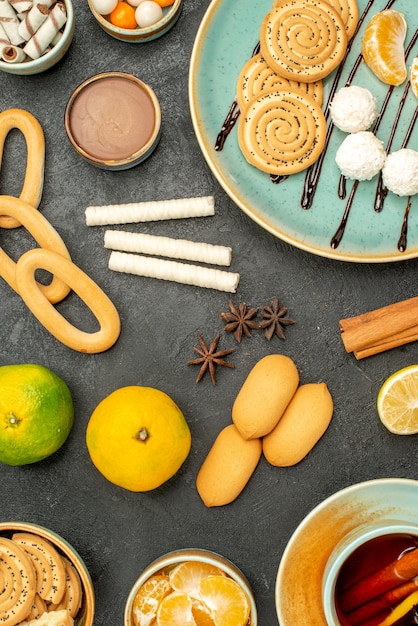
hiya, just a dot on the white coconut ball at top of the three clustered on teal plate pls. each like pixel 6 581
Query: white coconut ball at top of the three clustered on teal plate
pixel 353 109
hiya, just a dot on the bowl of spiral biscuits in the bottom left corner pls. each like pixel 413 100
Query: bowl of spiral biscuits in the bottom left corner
pixel 45 582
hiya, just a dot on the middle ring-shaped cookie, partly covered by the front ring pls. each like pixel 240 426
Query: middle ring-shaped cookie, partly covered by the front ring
pixel 44 234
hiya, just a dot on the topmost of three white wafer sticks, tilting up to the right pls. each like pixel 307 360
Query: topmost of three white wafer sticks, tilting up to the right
pixel 135 212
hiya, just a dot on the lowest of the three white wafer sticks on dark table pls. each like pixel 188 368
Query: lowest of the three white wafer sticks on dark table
pixel 174 271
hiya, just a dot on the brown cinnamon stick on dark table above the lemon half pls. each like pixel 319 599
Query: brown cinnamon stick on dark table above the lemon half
pixel 382 329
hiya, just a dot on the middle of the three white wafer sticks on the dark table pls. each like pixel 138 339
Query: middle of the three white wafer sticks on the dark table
pixel 167 246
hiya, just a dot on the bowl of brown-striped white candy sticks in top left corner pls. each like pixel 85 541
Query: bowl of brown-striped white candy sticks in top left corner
pixel 36 42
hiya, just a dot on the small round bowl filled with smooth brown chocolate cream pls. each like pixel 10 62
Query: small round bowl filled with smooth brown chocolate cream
pixel 113 120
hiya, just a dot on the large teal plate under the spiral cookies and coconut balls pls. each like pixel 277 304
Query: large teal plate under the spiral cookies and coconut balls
pixel 225 40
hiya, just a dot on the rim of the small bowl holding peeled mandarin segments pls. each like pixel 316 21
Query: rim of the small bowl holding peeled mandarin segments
pixel 191 554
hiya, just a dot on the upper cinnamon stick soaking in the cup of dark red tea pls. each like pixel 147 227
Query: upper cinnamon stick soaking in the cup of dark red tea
pixel 400 570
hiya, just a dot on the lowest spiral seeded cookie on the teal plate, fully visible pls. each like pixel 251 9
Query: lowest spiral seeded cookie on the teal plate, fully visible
pixel 282 132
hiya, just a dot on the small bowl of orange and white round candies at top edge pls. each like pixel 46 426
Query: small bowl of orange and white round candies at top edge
pixel 136 21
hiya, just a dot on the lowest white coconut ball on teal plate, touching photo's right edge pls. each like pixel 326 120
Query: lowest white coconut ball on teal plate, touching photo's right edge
pixel 400 172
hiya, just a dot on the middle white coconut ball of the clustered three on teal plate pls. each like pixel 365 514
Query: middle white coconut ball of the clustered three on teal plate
pixel 360 156
